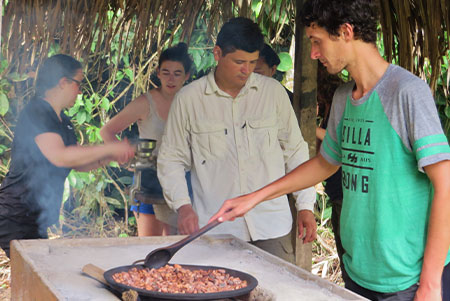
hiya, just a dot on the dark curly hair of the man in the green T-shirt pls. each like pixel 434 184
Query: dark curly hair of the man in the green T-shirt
pixel 363 15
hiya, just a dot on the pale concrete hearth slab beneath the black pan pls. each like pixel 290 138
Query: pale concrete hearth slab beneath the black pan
pixel 52 269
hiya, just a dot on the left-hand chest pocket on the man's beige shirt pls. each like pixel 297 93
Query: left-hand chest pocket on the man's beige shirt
pixel 209 139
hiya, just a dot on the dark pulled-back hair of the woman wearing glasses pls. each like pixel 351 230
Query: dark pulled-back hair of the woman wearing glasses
pixel 53 69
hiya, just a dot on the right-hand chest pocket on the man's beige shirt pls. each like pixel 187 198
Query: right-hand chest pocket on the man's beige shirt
pixel 262 135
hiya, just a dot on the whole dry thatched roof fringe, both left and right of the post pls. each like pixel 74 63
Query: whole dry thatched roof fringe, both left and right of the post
pixel 416 30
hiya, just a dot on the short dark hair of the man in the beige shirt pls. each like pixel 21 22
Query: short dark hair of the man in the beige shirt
pixel 240 34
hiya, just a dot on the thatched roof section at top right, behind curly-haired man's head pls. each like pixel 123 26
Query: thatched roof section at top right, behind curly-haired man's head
pixel 418 33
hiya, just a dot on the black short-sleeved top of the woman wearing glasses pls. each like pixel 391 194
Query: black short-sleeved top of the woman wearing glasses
pixel 33 186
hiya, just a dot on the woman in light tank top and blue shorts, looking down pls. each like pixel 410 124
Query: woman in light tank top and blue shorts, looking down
pixel 150 111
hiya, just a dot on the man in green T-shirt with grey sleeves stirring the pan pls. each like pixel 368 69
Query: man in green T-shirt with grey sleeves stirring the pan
pixel 385 132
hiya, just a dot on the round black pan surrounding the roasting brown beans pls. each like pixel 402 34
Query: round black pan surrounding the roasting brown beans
pixel 251 284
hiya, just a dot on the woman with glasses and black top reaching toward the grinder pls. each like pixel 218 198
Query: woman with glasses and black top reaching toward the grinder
pixel 44 150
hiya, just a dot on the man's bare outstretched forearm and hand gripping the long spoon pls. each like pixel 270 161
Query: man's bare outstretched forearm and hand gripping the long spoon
pixel 306 175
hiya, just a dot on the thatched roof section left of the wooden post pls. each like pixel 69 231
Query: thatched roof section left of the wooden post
pixel 30 27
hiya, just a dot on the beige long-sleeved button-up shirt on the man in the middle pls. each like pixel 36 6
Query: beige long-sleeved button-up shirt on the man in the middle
pixel 232 147
